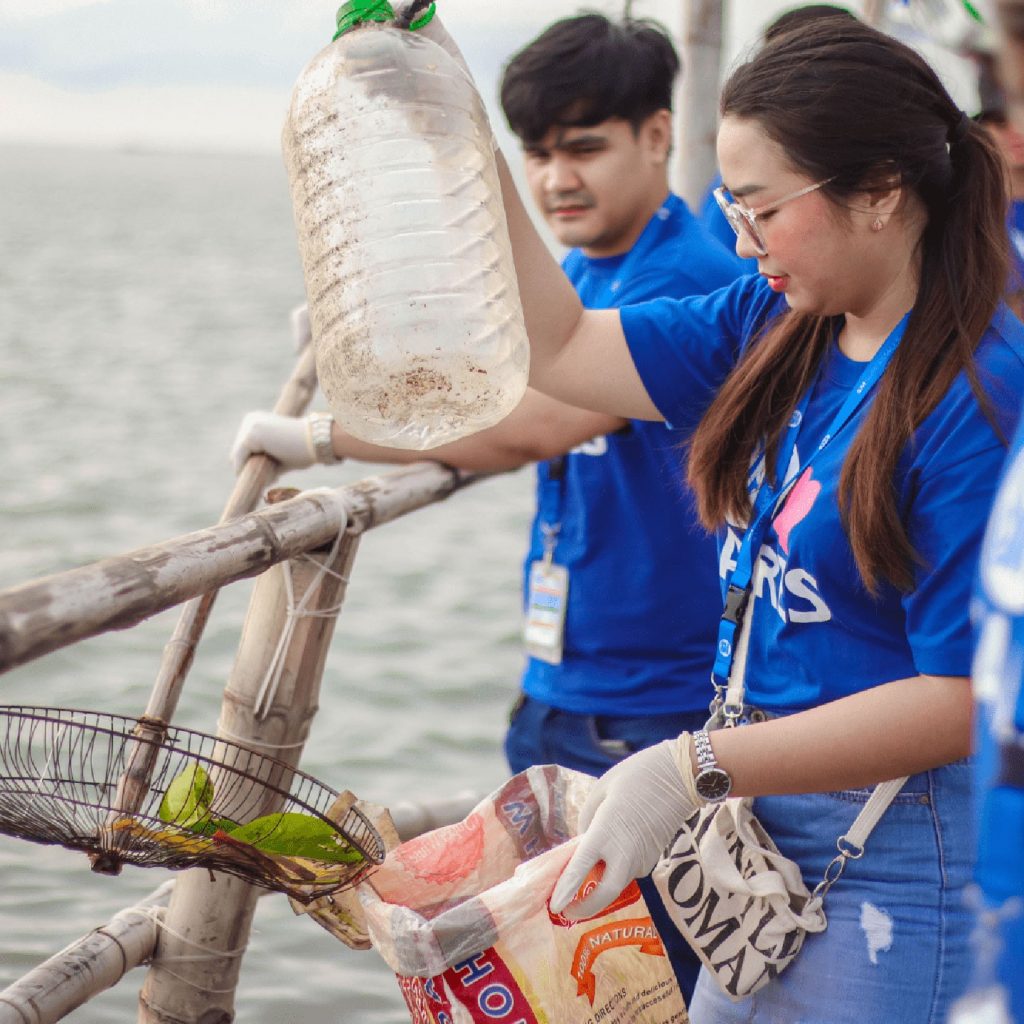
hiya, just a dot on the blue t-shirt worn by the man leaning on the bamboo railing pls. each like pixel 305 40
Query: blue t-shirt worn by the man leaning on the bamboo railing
pixel 644 600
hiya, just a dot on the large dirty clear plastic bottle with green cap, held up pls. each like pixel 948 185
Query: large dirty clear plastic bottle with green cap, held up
pixel 412 290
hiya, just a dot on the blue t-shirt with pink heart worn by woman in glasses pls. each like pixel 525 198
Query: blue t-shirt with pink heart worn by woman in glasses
pixel 817 635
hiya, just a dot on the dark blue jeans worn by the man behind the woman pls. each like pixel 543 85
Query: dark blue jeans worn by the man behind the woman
pixel 540 735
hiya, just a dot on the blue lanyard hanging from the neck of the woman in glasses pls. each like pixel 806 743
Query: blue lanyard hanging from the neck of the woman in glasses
pixel 771 499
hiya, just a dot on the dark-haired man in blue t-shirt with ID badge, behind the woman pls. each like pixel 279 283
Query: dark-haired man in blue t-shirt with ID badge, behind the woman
pixel 622 584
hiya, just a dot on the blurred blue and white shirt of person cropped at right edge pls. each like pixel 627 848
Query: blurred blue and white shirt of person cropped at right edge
pixel 999 685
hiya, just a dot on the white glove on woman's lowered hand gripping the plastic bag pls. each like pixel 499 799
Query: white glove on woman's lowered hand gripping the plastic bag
pixel 631 816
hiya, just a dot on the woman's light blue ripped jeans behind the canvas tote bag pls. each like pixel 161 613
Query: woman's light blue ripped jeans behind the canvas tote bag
pixel 897 949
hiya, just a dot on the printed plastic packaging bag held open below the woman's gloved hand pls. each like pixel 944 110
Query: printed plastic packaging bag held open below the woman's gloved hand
pixel 461 916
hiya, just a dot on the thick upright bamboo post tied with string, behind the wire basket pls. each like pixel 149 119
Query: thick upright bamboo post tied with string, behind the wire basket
pixel 199 956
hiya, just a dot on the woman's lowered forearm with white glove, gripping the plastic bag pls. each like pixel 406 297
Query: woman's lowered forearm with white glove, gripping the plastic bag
pixel 635 809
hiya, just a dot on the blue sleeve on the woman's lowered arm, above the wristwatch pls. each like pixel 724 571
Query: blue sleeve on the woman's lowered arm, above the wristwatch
pixel 958 465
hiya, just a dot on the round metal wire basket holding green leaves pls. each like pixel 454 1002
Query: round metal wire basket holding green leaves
pixel 124 792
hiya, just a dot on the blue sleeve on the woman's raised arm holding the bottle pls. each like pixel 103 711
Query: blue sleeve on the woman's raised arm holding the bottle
pixel 684 350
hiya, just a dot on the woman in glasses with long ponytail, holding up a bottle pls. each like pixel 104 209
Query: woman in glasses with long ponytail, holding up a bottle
pixel 876 211
